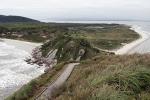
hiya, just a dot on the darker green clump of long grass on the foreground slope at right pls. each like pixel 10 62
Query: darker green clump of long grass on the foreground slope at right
pixel 130 81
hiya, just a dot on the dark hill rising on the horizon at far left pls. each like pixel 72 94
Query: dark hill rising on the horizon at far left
pixel 12 19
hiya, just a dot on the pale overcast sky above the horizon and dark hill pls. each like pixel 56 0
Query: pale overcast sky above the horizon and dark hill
pixel 77 9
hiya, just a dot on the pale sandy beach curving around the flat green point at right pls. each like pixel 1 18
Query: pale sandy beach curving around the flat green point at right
pixel 127 48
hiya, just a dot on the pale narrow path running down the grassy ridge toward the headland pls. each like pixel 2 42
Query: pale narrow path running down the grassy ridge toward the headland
pixel 47 94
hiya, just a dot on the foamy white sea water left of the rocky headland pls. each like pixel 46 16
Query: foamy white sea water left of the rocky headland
pixel 14 71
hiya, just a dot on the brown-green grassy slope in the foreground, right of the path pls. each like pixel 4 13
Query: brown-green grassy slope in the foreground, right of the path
pixel 110 78
